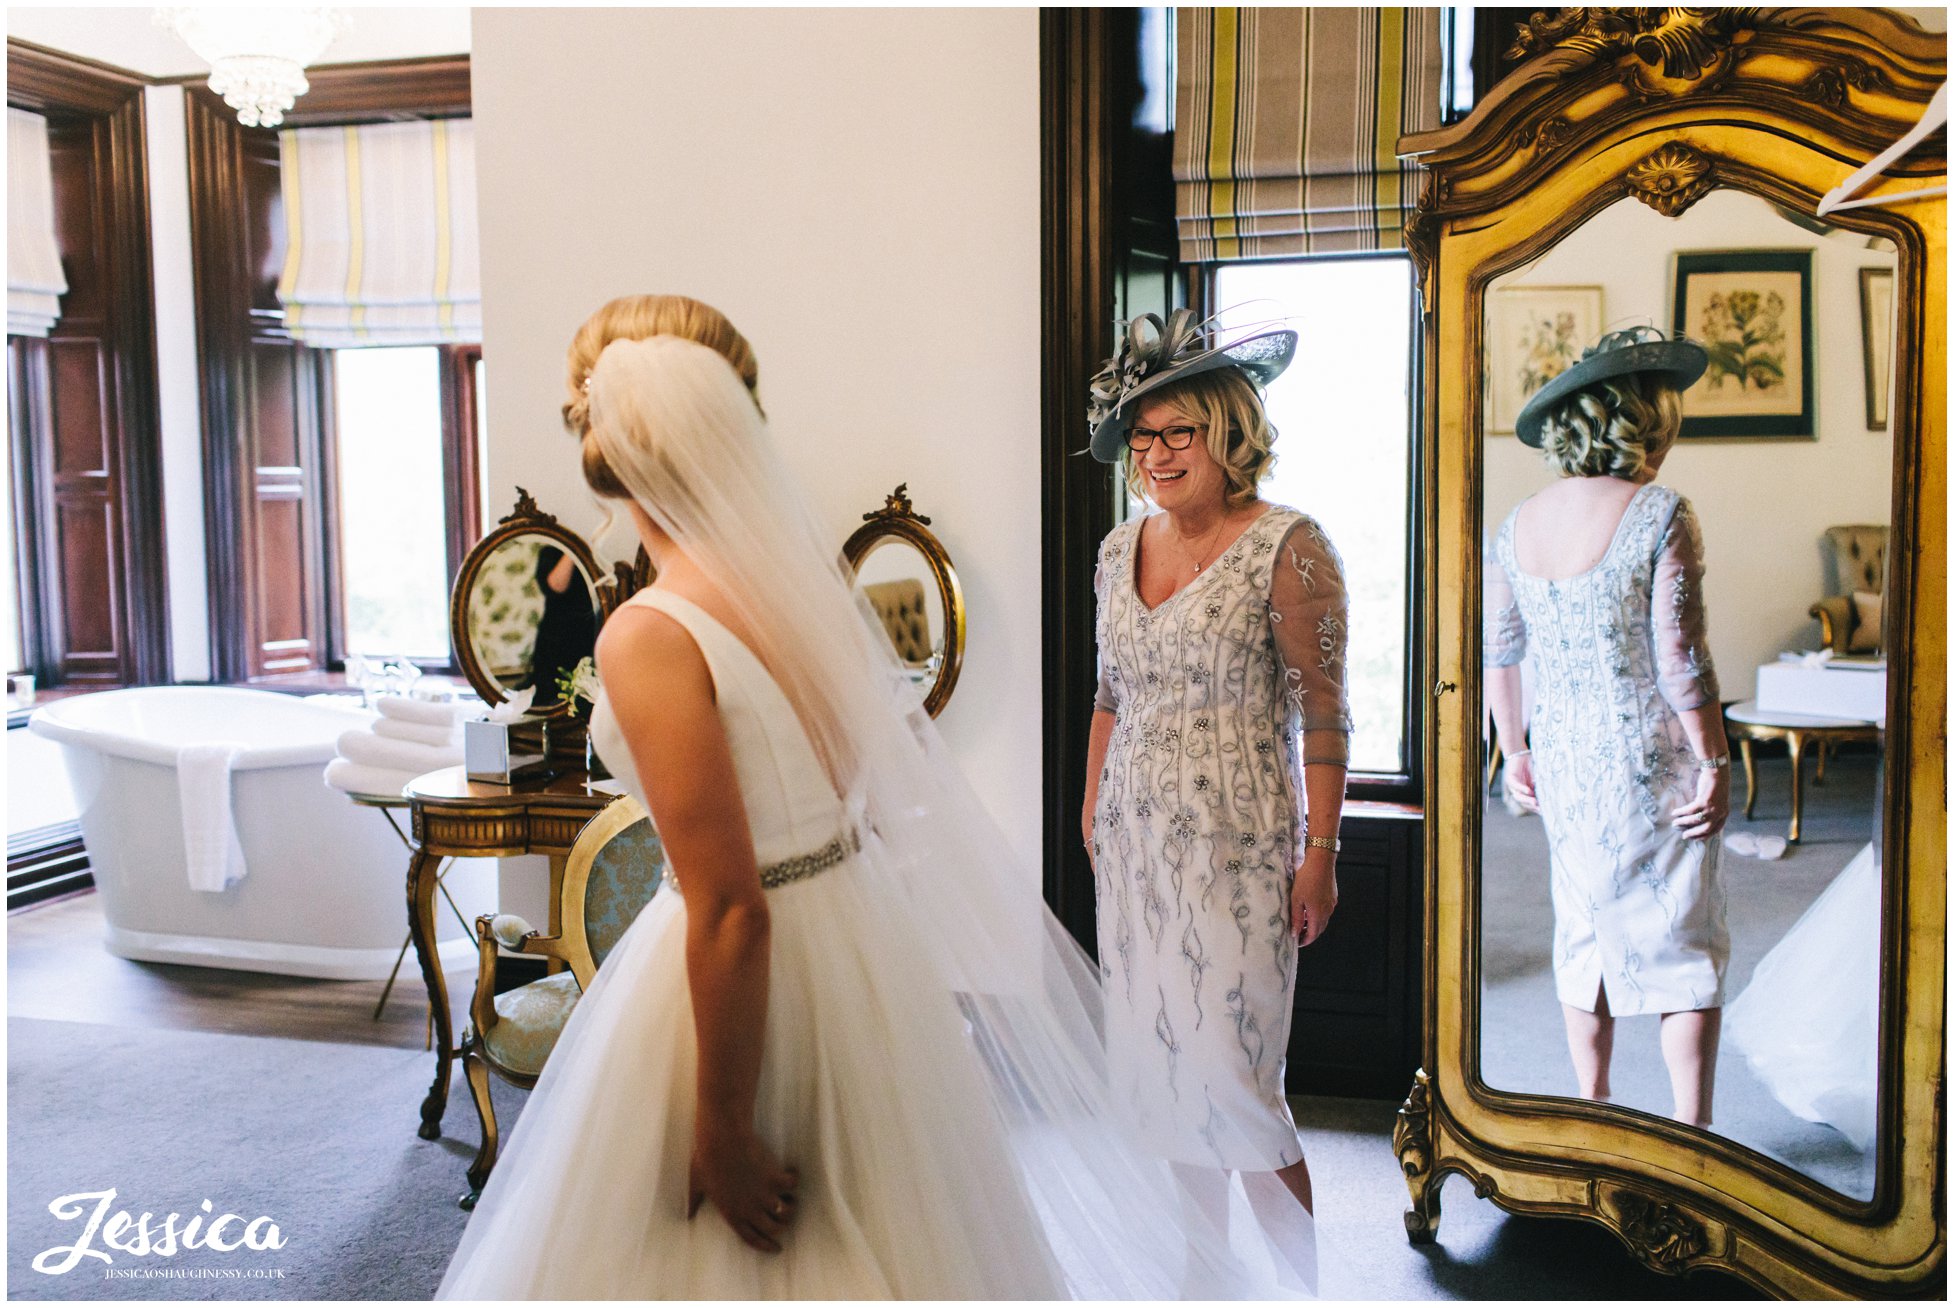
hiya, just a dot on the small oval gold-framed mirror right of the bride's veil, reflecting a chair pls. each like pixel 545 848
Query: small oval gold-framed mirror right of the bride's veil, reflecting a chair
pixel 908 578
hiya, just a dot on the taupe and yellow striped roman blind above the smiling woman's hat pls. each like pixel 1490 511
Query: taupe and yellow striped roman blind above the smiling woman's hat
pixel 1287 128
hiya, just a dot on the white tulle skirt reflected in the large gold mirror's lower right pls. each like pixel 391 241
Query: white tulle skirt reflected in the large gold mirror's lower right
pixel 1808 1024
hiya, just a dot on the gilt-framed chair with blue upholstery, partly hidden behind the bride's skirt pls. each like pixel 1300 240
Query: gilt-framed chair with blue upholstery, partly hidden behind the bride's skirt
pixel 615 869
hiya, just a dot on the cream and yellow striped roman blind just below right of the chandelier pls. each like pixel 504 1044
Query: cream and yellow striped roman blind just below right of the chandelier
pixel 382 243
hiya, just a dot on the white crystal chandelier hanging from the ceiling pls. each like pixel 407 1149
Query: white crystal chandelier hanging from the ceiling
pixel 257 54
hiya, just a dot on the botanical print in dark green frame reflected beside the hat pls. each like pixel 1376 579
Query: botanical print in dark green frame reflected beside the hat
pixel 1752 310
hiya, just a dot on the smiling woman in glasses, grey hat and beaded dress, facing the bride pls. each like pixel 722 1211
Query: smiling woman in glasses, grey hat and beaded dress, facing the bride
pixel 1222 629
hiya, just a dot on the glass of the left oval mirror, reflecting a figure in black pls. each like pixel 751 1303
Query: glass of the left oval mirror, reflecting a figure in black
pixel 532 615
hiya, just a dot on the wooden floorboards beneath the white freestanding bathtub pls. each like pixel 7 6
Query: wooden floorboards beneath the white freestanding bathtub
pixel 58 969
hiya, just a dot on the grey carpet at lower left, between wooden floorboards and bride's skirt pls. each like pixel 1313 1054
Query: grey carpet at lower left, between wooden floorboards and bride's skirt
pixel 318 1137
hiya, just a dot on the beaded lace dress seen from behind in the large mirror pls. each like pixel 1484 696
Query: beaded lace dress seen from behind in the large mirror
pixel 1619 652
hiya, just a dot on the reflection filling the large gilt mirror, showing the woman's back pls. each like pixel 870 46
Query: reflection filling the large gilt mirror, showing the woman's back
pixel 1636 631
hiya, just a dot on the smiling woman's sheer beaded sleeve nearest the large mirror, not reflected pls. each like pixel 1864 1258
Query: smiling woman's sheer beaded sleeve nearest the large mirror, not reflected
pixel 1310 611
